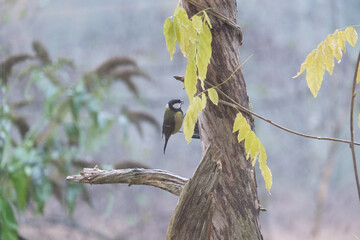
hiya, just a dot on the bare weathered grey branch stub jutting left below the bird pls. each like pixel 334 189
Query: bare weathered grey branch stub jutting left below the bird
pixel 132 176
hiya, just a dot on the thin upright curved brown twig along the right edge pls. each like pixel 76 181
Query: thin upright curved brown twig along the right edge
pixel 352 125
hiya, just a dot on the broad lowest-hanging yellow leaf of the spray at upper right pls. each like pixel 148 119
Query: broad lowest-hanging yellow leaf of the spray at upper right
pixel 315 73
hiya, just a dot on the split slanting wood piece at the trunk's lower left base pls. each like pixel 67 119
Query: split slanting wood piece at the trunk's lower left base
pixel 199 190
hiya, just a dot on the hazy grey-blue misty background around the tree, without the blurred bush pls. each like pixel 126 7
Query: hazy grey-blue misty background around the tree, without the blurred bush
pixel 279 34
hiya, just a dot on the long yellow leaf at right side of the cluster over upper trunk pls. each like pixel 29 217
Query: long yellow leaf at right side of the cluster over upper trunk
pixel 203 53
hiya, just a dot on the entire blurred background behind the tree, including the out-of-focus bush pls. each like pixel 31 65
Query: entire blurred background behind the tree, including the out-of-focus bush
pixel 86 82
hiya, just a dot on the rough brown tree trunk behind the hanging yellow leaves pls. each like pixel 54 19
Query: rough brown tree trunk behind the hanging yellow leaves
pixel 232 211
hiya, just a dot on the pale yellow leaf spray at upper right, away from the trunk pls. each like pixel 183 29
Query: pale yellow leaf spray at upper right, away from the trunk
pixel 322 58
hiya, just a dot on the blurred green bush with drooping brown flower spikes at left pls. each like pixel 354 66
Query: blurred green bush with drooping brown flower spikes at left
pixel 38 151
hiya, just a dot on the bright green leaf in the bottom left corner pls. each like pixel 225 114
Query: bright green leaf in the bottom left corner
pixel 8 223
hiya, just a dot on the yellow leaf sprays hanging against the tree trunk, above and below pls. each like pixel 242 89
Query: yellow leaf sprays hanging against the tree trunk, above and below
pixel 194 38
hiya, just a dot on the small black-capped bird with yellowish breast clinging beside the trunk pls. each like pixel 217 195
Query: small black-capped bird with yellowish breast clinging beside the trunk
pixel 173 119
